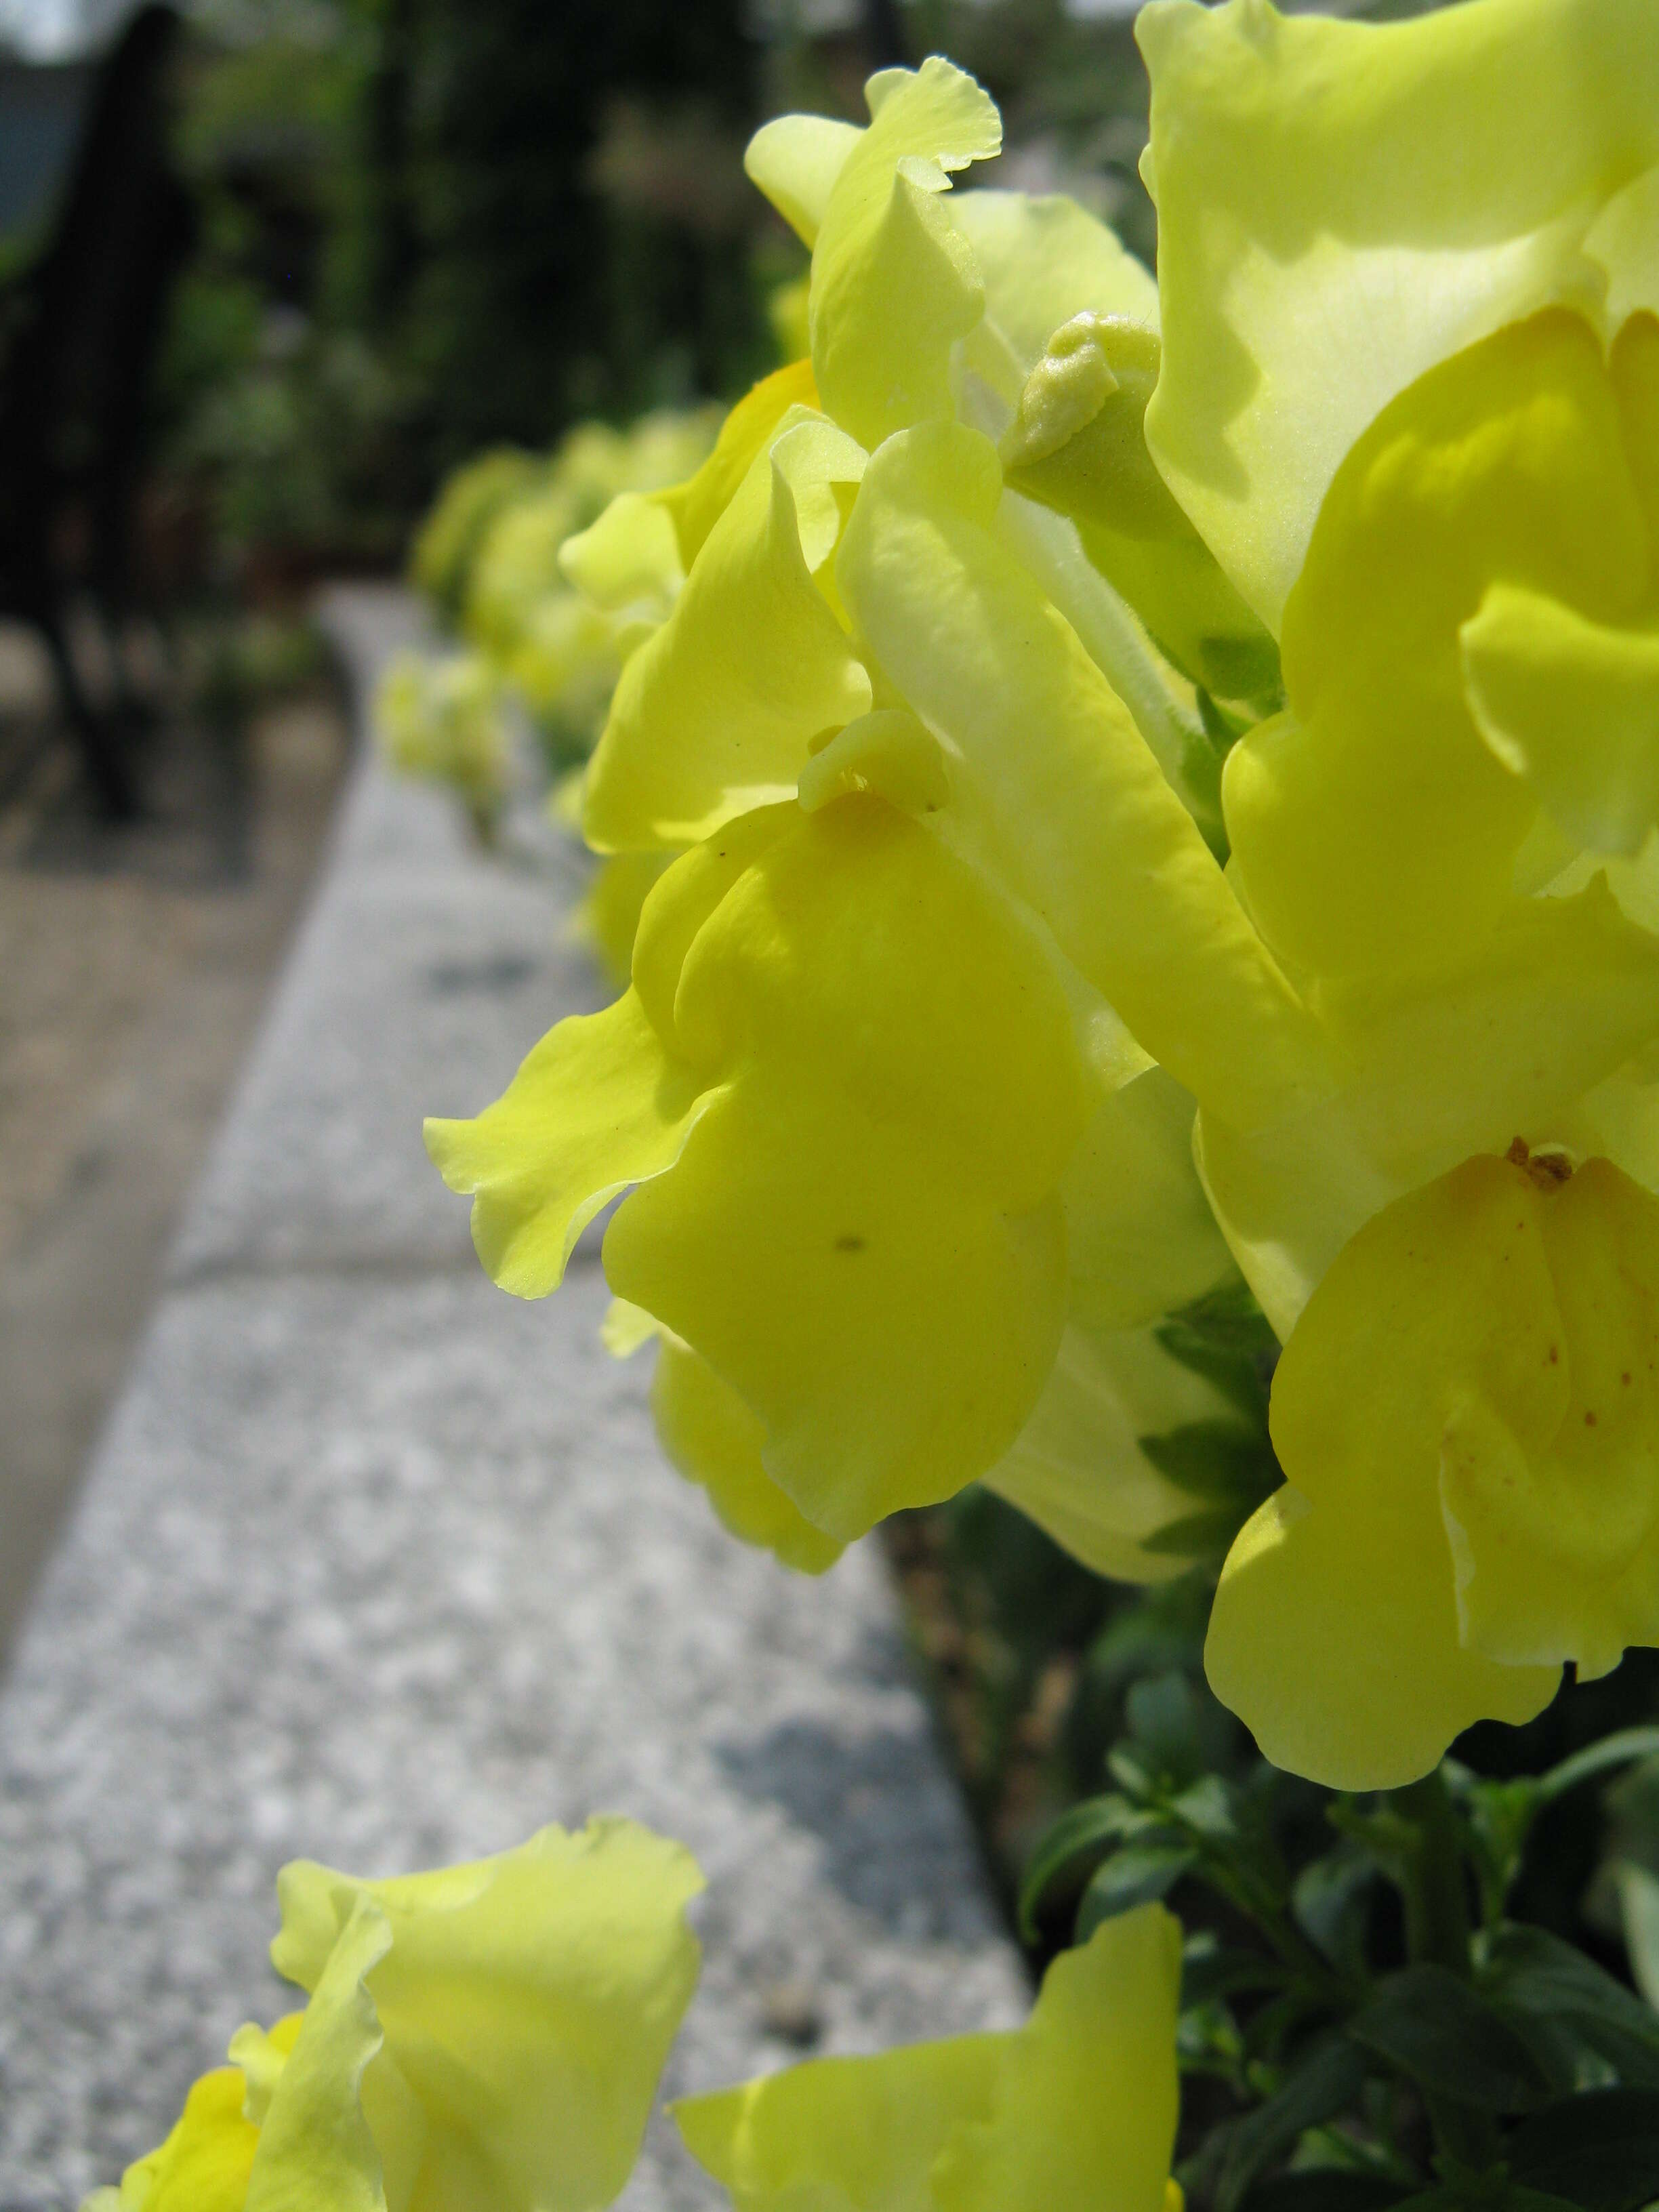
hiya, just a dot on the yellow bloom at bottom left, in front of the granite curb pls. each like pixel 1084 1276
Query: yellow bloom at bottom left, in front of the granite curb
pixel 481 2036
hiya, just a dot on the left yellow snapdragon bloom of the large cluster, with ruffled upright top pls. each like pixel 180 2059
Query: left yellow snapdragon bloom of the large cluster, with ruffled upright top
pixel 912 1200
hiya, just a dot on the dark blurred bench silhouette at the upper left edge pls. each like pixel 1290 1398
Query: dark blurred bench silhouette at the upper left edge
pixel 83 326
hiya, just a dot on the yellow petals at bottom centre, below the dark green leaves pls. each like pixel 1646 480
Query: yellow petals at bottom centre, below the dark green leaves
pixel 1072 2114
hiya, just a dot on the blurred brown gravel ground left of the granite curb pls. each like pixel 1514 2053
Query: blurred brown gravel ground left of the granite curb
pixel 134 968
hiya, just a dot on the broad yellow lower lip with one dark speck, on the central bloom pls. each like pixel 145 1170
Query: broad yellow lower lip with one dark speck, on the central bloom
pixel 864 1238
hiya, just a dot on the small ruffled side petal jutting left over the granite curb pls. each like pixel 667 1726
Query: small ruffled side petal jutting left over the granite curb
pixel 596 1107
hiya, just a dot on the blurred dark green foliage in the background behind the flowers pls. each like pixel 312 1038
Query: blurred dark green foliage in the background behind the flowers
pixel 430 227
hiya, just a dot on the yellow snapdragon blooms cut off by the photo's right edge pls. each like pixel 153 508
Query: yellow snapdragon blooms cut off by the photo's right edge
pixel 1446 510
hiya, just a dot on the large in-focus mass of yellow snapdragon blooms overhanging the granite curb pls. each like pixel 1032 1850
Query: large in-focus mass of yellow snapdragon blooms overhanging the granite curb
pixel 1162 793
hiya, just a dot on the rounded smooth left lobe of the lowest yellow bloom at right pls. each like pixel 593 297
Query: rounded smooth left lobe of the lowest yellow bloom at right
pixel 1335 1631
